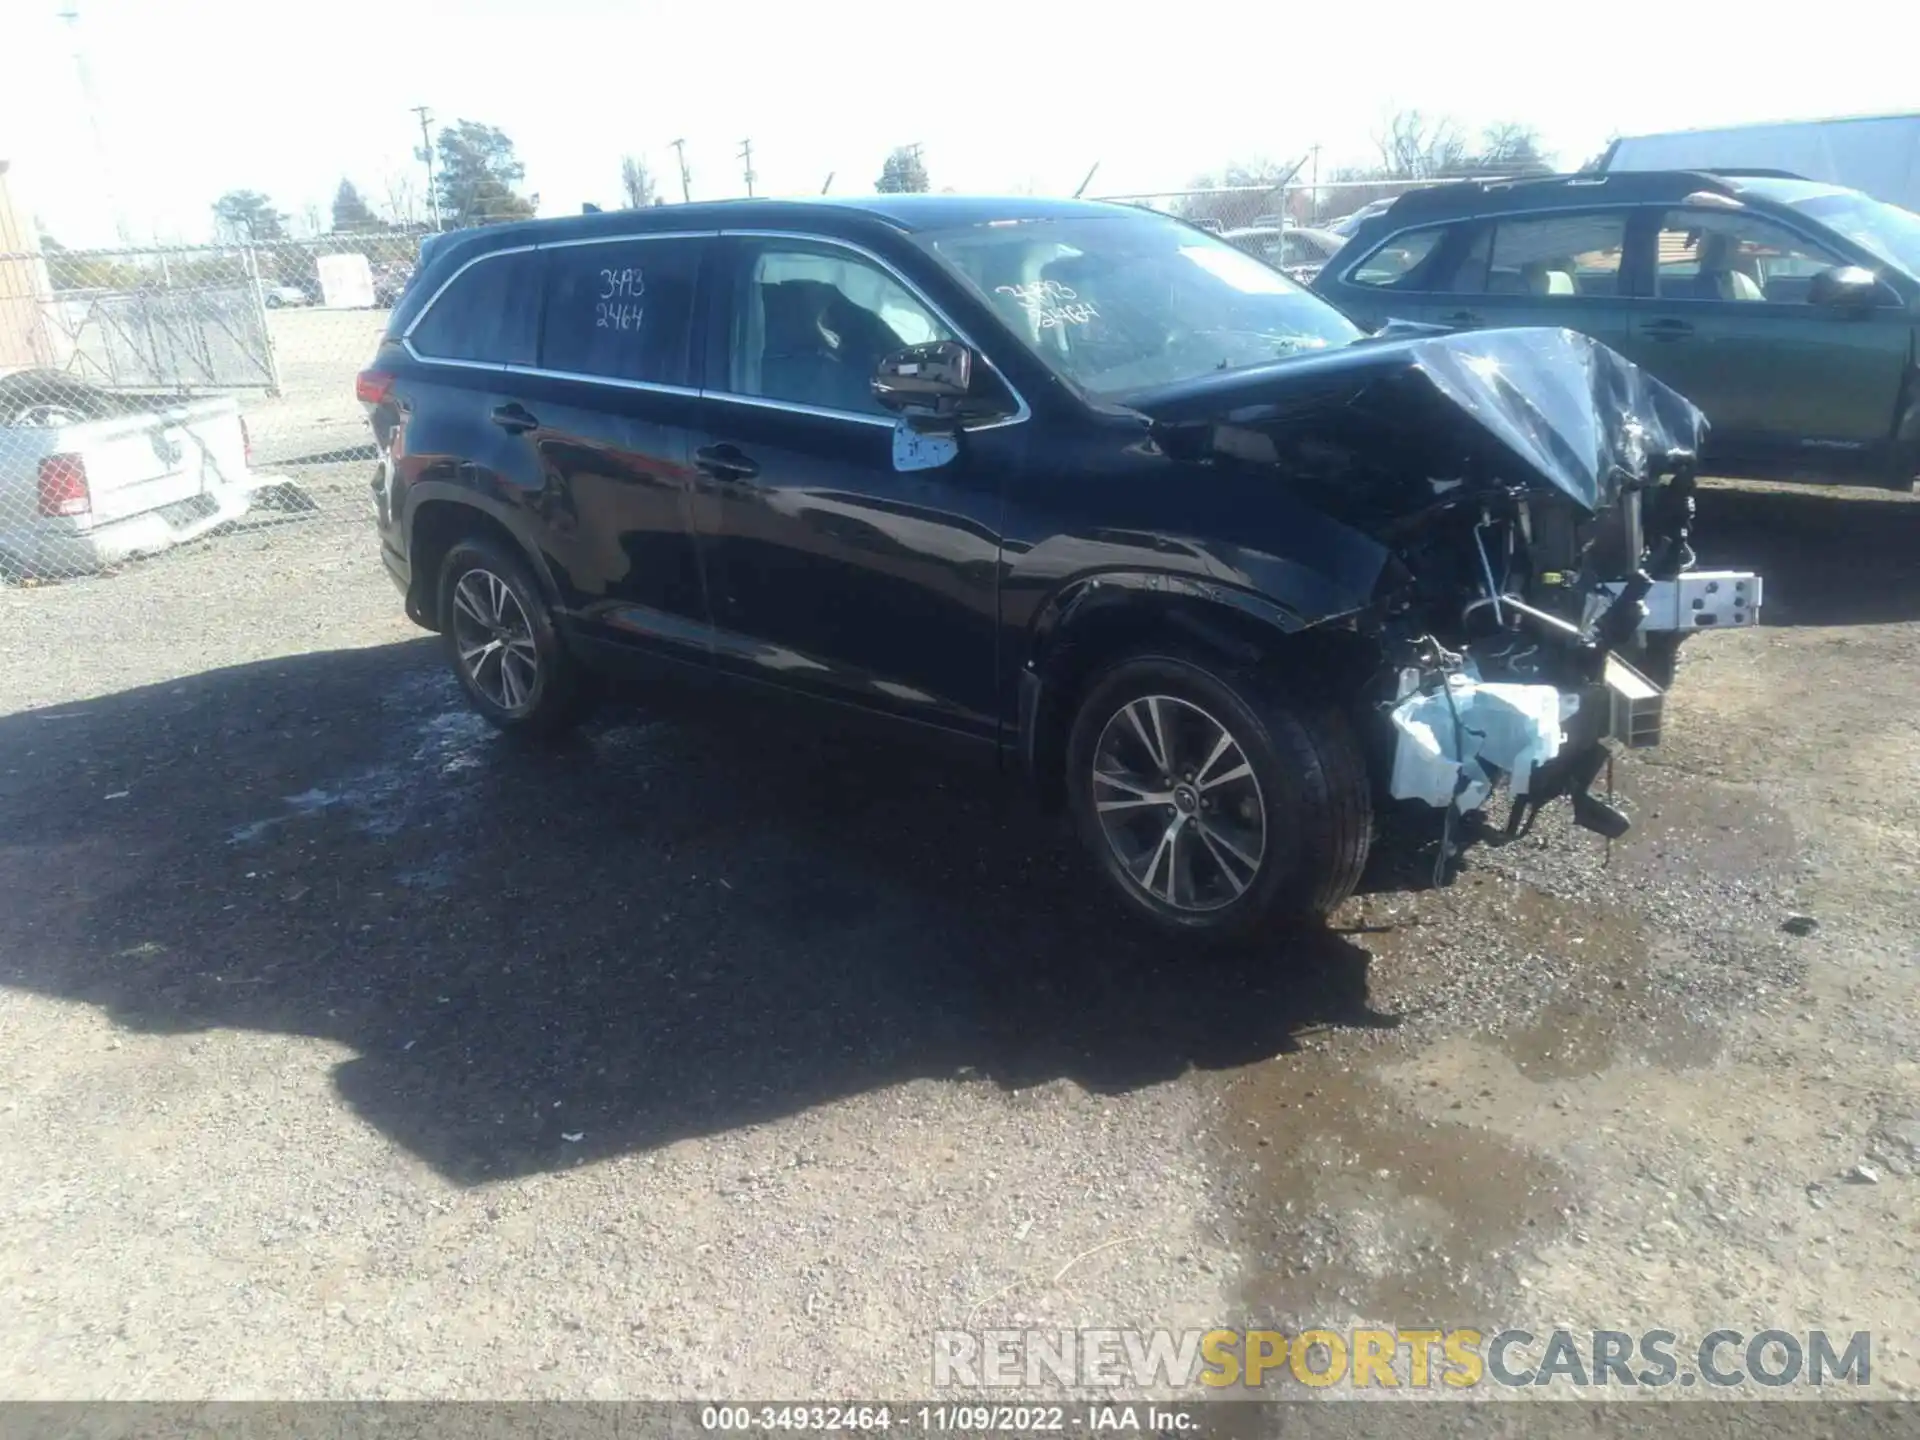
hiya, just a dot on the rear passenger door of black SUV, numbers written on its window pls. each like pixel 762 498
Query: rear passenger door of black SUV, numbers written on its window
pixel 608 414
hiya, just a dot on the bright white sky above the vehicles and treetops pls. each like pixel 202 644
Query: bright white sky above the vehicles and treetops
pixel 199 97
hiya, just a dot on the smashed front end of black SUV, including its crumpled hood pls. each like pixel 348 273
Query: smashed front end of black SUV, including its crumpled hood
pixel 1527 496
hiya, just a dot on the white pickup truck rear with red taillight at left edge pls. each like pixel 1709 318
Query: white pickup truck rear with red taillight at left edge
pixel 93 477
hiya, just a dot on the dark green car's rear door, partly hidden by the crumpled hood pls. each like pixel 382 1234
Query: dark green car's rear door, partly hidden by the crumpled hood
pixel 1558 270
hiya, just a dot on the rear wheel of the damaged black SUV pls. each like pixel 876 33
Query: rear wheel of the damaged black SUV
pixel 504 646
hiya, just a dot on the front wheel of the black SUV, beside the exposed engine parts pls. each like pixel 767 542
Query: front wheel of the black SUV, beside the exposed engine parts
pixel 1214 805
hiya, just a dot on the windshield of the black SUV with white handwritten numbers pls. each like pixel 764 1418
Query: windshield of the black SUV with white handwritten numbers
pixel 1132 300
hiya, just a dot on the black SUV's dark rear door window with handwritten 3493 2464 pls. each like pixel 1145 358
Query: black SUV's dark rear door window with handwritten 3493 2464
pixel 621 310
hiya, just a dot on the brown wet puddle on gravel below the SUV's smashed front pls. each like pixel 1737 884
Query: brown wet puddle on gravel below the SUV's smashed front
pixel 1356 1195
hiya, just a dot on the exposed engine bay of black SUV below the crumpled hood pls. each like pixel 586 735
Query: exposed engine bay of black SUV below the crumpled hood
pixel 1550 656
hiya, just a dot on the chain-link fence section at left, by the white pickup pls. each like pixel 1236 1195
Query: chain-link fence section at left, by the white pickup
pixel 158 398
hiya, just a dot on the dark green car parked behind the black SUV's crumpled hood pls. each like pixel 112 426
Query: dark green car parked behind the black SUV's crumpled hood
pixel 1787 310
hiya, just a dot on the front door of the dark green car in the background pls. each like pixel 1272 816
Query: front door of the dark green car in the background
pixel 1723 318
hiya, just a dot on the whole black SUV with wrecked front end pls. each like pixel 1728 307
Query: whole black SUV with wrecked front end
pixel 1078 483
